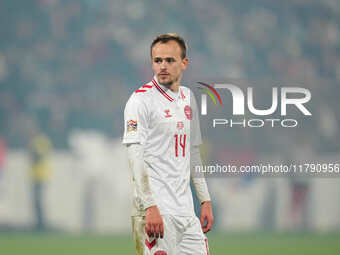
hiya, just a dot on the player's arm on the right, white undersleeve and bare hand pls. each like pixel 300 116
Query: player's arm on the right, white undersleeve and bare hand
pixel 201 188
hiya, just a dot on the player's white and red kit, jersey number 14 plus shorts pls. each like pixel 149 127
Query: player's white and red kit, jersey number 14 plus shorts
pixel 166 125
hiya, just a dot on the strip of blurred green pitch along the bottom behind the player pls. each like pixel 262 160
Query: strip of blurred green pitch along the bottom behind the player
pixel 233 244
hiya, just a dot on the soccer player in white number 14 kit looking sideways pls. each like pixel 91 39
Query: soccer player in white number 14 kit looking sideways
pixel 162 135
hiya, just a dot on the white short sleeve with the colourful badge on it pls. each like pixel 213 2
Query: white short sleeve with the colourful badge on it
pixel 135 121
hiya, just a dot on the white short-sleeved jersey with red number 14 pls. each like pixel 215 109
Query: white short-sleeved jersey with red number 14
pixel 166 124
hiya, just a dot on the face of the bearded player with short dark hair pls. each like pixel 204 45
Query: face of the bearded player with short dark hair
pixel 167 62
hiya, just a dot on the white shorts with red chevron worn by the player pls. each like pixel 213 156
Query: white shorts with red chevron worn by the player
pixel 182 235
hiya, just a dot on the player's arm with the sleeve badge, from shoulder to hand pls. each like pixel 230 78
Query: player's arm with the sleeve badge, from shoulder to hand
pixel 136 126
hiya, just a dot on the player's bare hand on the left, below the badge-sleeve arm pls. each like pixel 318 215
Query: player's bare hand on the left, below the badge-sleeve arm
pixel 154 223
